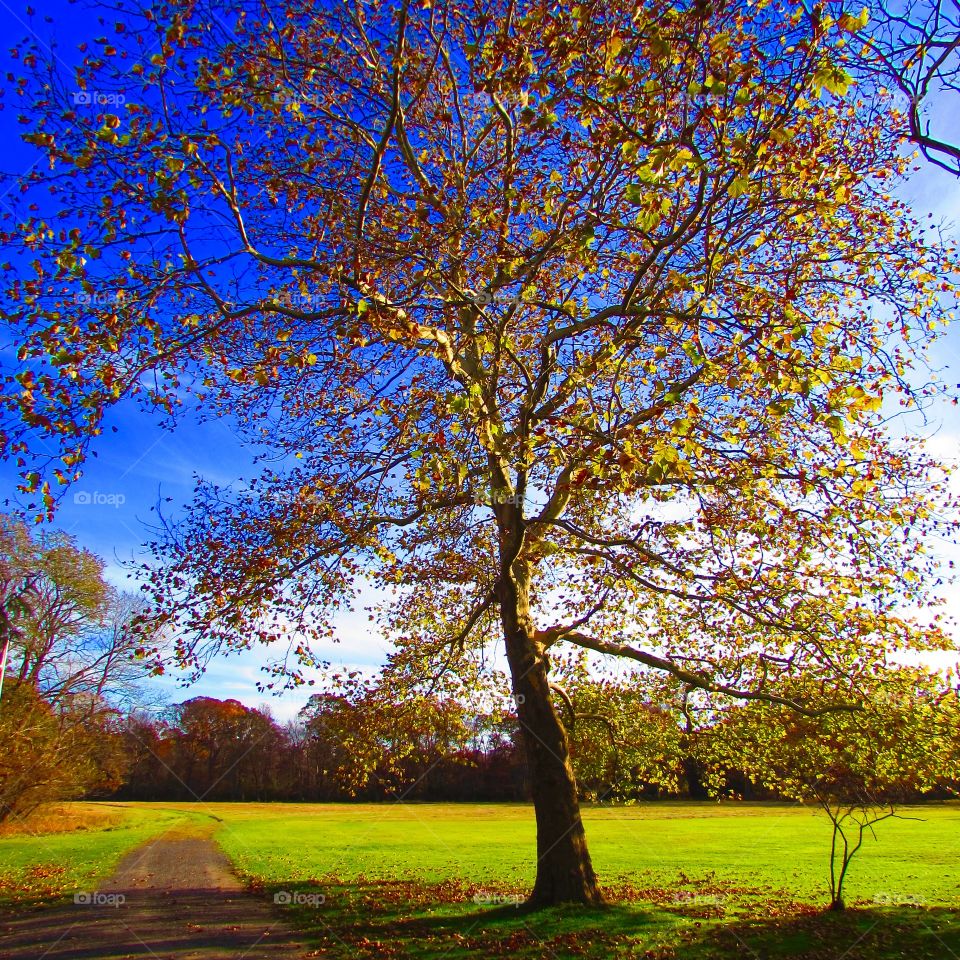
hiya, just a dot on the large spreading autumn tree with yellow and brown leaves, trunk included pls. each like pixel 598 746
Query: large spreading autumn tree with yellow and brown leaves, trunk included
pixel 569 323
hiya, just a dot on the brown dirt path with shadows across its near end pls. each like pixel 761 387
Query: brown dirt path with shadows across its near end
pixel 181 901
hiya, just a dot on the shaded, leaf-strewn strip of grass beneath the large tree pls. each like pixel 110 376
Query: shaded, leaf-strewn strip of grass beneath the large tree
pixel 371 918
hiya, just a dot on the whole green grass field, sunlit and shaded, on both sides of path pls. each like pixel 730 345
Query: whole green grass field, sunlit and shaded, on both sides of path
pixel 441 880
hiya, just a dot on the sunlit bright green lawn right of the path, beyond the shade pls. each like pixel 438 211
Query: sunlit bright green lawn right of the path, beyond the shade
pixel 780 846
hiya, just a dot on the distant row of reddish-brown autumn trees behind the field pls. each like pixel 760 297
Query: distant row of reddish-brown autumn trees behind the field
pixel 432 751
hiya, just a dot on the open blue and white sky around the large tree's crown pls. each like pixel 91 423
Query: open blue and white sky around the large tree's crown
pixel 110 510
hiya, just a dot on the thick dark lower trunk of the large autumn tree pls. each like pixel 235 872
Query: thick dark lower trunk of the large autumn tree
pixel 564 870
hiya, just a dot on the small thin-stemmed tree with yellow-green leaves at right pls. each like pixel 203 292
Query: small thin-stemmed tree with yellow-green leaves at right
pixel 857 767
